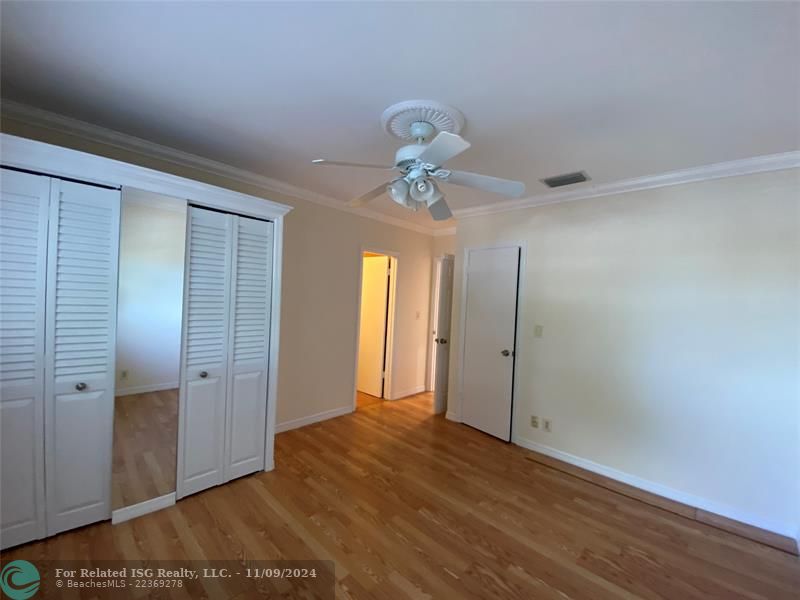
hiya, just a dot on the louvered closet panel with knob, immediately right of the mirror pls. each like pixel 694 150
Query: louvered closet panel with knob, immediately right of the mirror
pixel 204 361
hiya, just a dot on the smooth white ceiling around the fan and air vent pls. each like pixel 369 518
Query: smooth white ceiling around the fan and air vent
pixel 619 89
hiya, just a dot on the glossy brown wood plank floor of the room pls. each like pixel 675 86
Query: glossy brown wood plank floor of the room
pixel 410 505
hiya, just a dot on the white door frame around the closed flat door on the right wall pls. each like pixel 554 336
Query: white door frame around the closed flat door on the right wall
pixel 522 245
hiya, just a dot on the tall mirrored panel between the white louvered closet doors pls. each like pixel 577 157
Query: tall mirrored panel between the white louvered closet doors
pixel 148 350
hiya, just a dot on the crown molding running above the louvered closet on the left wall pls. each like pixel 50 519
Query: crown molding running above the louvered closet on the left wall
pixel 48 120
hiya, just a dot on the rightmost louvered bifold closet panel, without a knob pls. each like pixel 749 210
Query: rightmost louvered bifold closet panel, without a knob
pixel 250 306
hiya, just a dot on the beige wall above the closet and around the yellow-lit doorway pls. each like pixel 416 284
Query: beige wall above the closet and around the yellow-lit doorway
pixel 322 250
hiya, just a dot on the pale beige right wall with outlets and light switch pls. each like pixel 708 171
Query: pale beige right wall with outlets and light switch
pixel 670 346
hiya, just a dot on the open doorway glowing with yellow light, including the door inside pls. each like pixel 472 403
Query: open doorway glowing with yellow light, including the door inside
pixel 375 329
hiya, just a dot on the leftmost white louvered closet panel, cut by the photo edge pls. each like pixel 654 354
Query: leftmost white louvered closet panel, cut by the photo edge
pixel 24 207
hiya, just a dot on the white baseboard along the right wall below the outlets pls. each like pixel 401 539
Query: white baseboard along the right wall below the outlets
pixel 785 529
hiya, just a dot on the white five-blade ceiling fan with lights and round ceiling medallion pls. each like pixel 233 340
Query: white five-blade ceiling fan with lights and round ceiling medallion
pixel 420 163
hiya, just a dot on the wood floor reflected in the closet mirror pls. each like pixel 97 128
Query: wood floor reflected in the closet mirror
pixel 145 446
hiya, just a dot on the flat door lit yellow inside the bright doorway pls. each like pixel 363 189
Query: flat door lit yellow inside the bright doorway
pixel 372 331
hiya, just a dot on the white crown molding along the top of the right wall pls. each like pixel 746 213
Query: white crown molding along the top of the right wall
pixel 746 166
